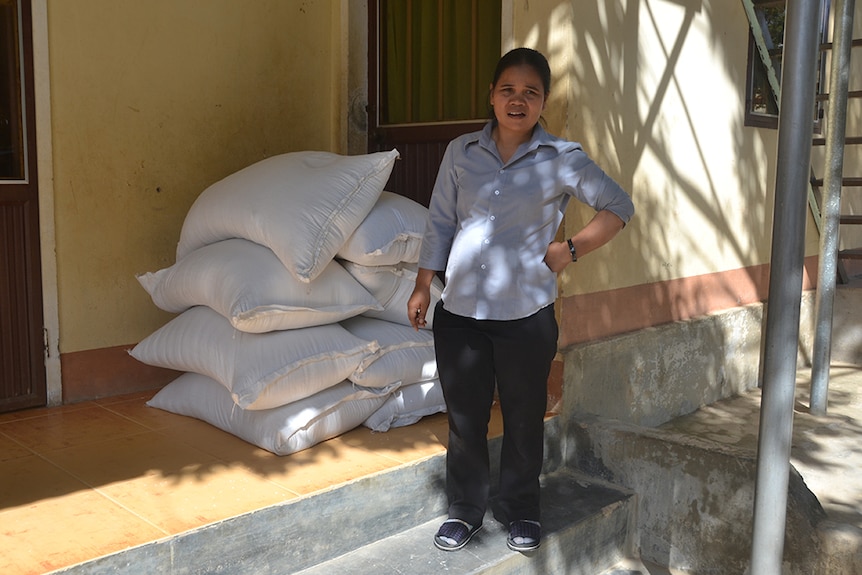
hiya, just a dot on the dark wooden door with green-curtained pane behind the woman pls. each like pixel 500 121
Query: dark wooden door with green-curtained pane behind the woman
pixel 430 65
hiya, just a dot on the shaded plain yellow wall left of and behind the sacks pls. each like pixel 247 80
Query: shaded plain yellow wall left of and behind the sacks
pixel 154 100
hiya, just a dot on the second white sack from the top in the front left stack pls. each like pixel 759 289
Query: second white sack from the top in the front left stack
pixel 246 283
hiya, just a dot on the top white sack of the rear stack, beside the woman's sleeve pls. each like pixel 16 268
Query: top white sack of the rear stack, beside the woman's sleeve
pixel 392 233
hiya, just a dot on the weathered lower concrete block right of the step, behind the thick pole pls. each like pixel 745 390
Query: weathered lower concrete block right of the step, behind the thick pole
pixel 695 497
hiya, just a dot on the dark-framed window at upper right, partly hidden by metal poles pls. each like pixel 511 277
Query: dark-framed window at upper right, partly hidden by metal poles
pixel 761 105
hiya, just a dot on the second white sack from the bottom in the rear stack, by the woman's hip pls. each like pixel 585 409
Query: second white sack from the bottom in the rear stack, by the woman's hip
pixel 405 355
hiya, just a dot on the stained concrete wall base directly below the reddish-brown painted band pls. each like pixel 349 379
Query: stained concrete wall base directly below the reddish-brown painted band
pixel 654 375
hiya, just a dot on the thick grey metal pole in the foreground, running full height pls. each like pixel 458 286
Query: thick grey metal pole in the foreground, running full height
pixel 795 123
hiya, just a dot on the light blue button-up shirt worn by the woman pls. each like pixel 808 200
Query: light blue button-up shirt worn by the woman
pixel 490 223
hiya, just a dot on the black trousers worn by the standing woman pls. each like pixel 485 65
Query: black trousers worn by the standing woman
pixel 472 357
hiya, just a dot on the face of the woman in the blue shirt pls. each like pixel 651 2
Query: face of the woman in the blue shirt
pixel 518 98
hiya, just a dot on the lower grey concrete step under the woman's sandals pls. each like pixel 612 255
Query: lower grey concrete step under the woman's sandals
pixel 586 530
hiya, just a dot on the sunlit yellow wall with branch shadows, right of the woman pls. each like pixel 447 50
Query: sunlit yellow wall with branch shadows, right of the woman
pixel 655 91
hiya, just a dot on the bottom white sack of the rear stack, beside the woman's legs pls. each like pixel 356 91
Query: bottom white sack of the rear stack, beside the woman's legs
pixel 407 405
